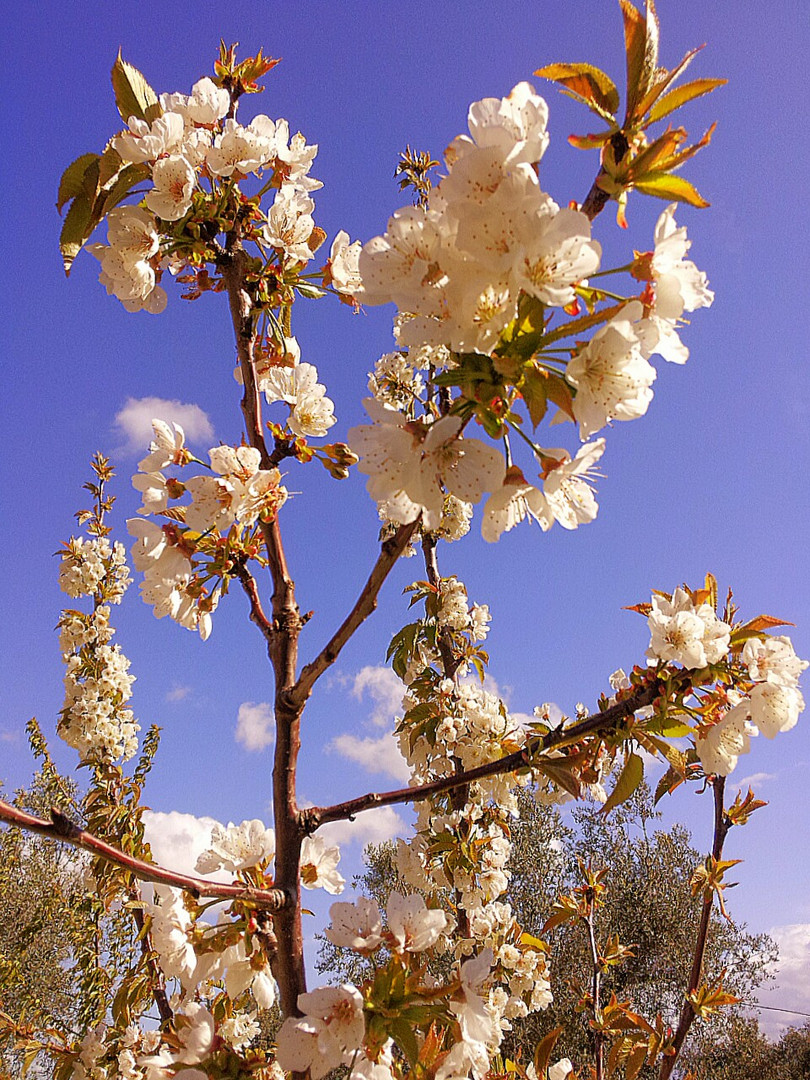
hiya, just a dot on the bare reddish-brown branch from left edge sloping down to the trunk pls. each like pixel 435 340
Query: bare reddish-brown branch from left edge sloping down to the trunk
pixel 62 829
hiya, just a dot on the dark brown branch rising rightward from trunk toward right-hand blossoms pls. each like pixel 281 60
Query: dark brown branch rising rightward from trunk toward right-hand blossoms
pixel 315 817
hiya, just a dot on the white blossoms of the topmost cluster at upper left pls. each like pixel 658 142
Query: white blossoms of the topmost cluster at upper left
pixel 196 154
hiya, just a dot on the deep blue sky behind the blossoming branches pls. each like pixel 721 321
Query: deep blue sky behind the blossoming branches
pixel 713 478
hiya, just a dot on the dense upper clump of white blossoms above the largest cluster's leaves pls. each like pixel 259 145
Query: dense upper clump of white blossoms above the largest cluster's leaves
pixel 490 234
